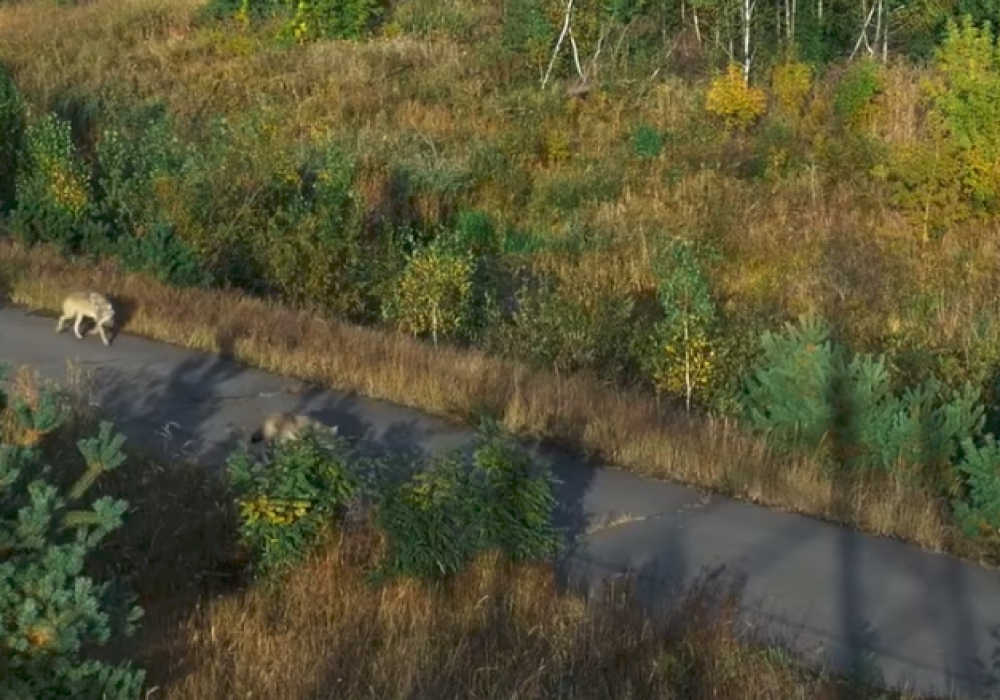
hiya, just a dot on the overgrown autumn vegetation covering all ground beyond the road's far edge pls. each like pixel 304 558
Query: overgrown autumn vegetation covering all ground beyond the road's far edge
pixel 619 222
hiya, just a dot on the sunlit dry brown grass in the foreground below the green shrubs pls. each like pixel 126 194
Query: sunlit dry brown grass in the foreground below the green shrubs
pixel 495 632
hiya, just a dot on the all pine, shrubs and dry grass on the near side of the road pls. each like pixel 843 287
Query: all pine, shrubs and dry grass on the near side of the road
pixel 399 577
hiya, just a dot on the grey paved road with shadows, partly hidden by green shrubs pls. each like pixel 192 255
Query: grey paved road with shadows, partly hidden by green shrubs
pixel 923 621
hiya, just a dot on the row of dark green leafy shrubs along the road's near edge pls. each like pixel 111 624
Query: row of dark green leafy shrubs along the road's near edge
pixel 436 513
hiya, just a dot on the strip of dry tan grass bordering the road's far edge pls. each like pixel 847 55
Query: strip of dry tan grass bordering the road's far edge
pixel 626 429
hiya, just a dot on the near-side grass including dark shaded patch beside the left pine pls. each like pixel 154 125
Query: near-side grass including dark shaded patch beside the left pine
pixel 496 631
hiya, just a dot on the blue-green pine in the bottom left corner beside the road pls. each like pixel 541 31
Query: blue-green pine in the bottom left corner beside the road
pixel 50 613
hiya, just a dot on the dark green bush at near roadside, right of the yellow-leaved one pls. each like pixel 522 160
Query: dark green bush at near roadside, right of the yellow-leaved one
pixel 461 505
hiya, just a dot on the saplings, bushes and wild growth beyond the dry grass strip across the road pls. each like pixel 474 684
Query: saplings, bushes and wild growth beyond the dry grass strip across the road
pixel 664 251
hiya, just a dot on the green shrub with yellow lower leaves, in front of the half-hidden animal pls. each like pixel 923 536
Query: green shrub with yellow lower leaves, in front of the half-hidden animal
pixel 286 505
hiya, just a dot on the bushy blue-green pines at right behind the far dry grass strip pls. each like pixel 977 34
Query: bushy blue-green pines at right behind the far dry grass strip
pixel 806 392
